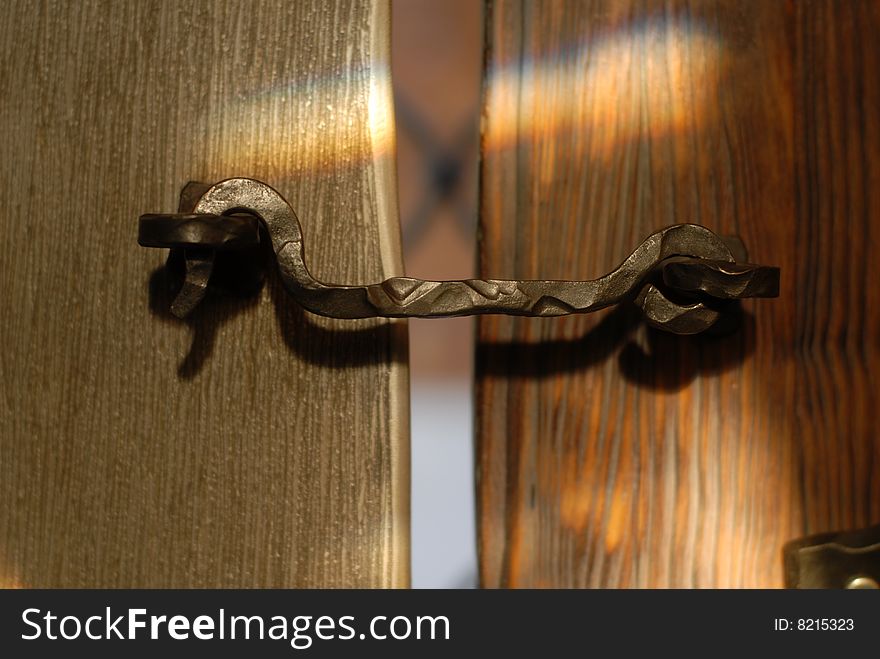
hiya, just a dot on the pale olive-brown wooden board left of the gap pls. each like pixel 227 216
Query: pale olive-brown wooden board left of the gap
pixel 257 445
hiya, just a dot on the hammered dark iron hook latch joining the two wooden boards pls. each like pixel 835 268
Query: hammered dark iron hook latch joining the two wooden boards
pixel 681 277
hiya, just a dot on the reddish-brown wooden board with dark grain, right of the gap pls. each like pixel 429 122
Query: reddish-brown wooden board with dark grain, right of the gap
pixel 611 456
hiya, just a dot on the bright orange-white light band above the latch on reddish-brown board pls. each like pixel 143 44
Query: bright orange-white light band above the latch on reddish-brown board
pixel 635 83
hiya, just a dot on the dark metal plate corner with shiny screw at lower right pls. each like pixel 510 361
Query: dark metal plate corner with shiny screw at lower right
pixel 848 559
